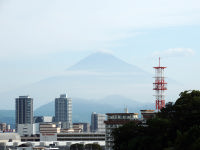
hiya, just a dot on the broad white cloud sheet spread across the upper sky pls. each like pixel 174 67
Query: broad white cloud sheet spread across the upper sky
pixel 39 27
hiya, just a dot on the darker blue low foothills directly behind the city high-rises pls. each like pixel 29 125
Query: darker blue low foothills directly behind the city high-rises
pixel 82 108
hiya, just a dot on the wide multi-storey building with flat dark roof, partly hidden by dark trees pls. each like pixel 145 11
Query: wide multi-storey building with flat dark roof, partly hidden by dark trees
pixel 115 120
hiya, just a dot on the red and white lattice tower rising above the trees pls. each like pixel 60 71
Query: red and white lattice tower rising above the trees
pixel 159 86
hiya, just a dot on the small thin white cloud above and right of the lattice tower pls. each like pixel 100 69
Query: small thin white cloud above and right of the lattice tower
pixel 174 52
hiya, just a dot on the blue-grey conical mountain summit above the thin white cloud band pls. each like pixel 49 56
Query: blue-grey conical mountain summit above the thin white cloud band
pixel 103 62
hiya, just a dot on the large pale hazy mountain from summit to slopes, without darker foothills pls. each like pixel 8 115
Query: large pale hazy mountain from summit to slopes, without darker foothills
pixel 94 77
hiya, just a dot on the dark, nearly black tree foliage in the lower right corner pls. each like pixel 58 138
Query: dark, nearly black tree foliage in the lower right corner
pixel 175 127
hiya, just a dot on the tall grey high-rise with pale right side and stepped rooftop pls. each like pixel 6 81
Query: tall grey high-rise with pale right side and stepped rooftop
pixel 63 111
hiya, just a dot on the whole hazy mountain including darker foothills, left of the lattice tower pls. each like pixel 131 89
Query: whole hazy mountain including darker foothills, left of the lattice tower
pixel 99 83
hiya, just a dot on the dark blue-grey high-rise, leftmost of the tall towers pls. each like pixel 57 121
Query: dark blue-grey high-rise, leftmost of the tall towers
pixel 23 110
